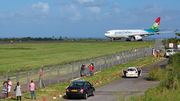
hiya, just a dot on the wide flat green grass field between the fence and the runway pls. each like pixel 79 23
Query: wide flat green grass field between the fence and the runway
pixel 15 56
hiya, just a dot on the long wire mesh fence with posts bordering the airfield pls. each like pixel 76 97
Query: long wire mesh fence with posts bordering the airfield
pixel 71 70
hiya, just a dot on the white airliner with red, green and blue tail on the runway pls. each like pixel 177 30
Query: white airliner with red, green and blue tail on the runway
pixel 136 34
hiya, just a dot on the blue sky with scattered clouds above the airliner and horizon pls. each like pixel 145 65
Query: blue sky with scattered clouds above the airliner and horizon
pixel 84 18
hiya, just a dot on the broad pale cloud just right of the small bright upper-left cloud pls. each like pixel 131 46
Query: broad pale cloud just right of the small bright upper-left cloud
pixel 70 12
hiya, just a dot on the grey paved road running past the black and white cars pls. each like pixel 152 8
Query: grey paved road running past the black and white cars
pixel 125 87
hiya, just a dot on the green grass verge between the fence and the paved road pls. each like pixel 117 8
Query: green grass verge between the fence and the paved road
pixel 57 88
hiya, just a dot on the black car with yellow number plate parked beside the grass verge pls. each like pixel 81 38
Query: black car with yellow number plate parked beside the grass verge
pixel 81 89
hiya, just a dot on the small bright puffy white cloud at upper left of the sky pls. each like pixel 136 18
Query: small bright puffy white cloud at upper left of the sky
pixel 44 7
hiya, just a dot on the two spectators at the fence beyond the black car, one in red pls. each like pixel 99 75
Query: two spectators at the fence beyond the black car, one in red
pixel 91 70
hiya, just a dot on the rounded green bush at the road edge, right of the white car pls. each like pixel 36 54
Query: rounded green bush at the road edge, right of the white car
pixel 156 73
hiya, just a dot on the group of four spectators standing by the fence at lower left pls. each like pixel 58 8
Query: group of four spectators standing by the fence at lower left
pixel 6 91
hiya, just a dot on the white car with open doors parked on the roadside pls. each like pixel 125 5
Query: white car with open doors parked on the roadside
pixel 132 72
